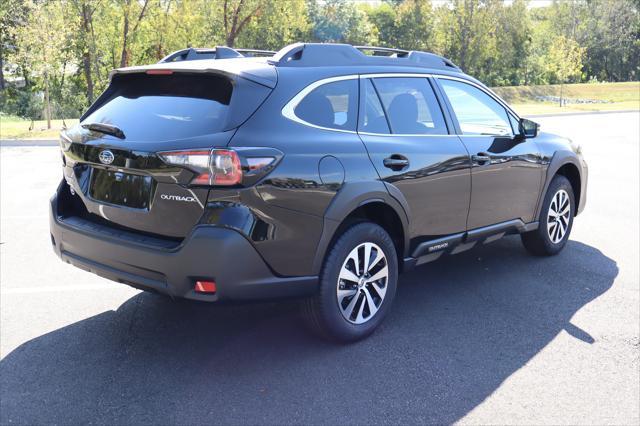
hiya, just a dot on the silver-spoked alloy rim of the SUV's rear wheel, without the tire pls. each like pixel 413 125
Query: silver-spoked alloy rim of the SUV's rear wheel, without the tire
pixel 362 283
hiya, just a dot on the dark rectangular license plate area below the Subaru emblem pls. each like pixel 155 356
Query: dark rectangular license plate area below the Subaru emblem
pixel 122 189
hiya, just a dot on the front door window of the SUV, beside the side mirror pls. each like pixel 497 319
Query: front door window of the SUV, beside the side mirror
pixel 477 112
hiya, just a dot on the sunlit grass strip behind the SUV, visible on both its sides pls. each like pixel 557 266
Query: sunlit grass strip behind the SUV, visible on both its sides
pixel 619 96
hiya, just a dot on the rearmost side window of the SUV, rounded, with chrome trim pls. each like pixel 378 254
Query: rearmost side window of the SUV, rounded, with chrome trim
pixel 331 105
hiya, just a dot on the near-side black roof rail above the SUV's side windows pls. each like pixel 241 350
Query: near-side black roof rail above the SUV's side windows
pixel 333 54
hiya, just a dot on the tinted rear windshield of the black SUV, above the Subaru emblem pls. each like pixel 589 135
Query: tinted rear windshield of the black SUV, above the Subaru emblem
pixel 177 106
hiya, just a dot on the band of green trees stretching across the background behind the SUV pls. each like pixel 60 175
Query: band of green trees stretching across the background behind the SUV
pixel 66 48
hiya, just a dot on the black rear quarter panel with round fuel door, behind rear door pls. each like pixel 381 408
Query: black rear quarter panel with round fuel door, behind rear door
pixel 296 194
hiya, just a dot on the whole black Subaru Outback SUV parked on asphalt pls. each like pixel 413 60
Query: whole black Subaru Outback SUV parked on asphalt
pixel 319 171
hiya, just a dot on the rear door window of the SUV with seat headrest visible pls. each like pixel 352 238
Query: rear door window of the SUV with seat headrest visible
pixel 411 106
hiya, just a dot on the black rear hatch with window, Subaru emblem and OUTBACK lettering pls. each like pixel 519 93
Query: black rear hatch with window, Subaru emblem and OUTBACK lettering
pixel 112 160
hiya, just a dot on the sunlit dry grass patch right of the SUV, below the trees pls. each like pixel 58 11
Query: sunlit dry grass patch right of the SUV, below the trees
pixel 619 96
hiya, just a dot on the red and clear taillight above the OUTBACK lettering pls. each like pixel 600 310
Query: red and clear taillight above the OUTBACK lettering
pixel 213 167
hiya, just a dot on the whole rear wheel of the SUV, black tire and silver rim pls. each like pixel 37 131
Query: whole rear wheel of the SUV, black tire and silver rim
pixel 332 312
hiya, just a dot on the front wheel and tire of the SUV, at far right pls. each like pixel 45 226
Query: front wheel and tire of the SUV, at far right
pixel 554 229
